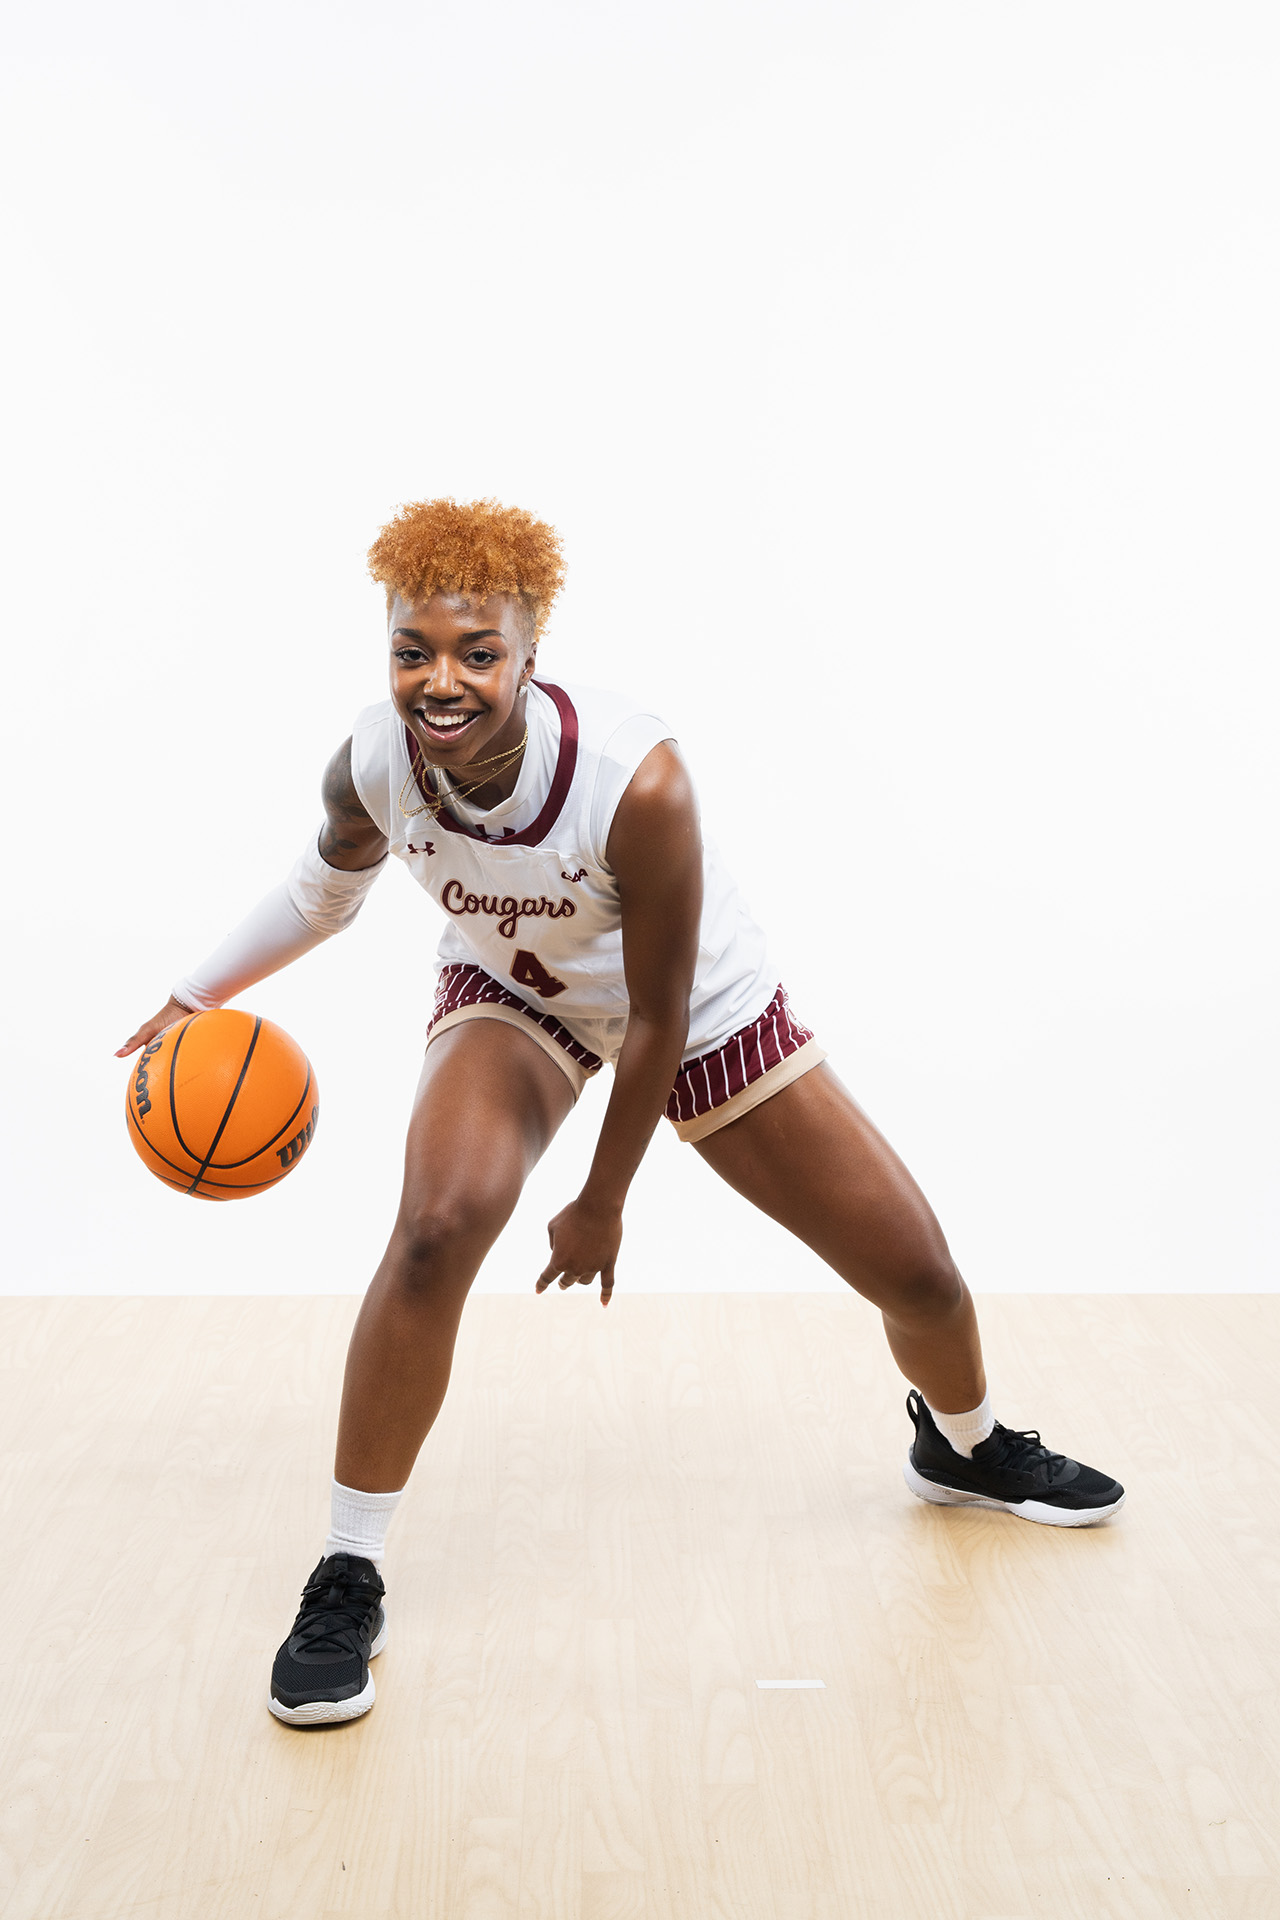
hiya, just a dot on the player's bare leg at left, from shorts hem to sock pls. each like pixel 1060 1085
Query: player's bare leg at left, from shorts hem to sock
pixel 488 1105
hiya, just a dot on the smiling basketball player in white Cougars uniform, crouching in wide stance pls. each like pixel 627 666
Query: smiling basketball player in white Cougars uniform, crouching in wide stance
pixel 584 923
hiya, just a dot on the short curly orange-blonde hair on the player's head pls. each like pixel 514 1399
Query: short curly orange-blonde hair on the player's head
pixel 471 548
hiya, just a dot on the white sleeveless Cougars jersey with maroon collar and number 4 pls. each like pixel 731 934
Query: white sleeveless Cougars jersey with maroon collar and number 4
pixel 527 890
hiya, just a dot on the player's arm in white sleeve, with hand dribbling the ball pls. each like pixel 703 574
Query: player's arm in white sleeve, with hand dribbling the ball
pixel 321 896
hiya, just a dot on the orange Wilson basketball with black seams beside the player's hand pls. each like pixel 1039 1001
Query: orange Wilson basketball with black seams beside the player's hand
pixel 224 1105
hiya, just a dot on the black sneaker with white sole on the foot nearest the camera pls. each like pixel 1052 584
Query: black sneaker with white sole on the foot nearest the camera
pixel 321 1671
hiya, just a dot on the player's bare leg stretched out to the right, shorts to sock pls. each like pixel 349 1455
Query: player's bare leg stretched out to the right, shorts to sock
pixel 815 1163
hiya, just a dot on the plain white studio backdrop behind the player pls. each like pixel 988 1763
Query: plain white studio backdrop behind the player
pixel 903 379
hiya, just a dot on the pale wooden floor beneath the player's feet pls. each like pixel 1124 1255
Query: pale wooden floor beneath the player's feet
pixel 619 1527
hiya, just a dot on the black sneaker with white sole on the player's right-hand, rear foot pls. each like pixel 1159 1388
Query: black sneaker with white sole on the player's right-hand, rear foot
pixel 1008 1470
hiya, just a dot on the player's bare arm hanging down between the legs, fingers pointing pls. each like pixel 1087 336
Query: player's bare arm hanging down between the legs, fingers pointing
pixel 655 850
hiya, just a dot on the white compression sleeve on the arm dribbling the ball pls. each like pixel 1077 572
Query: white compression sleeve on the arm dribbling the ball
pixel 316 901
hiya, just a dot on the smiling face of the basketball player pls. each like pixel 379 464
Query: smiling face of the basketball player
pixel 460 671
